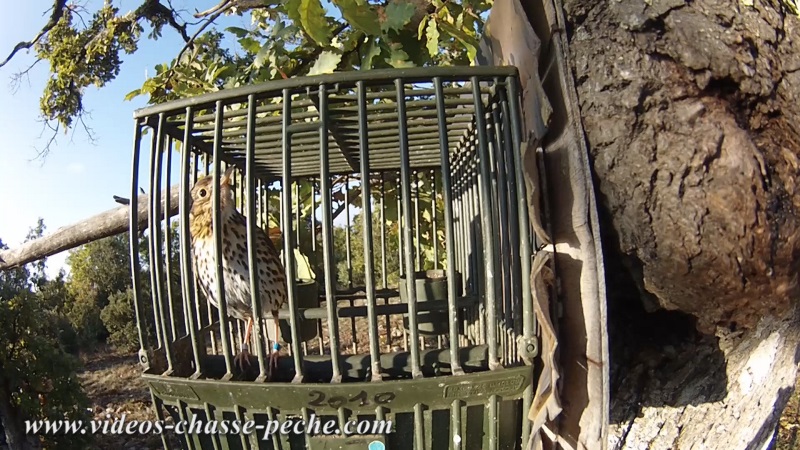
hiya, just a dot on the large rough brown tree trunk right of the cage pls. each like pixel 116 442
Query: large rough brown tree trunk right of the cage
pixel 689 110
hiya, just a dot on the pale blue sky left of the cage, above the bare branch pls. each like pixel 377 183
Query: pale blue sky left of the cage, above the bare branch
pixel 79 177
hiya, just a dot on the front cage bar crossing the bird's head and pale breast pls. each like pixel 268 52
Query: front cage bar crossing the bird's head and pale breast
pixel 216 225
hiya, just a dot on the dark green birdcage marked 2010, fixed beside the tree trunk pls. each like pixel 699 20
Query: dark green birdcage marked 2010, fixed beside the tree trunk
pixel 397 201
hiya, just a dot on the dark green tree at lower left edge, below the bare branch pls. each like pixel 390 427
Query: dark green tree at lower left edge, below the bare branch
pixel 37 380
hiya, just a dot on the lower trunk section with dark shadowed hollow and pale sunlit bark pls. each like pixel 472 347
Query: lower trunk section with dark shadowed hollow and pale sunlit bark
pixel 724 392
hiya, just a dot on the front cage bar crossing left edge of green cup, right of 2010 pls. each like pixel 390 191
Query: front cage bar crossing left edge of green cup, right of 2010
pixel 405 174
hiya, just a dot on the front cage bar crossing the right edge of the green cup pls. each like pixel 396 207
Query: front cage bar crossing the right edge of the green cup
pixel 444 155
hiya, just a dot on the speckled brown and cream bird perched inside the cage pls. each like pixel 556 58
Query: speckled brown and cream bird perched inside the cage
pixel 235 267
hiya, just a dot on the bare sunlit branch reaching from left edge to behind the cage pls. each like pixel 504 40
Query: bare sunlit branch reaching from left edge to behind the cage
pixel 105 224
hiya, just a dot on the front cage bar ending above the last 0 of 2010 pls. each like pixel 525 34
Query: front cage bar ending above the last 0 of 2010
pixel 366 214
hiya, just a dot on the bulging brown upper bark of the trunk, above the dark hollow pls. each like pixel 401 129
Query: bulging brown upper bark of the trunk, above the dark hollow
pixel 690 111
